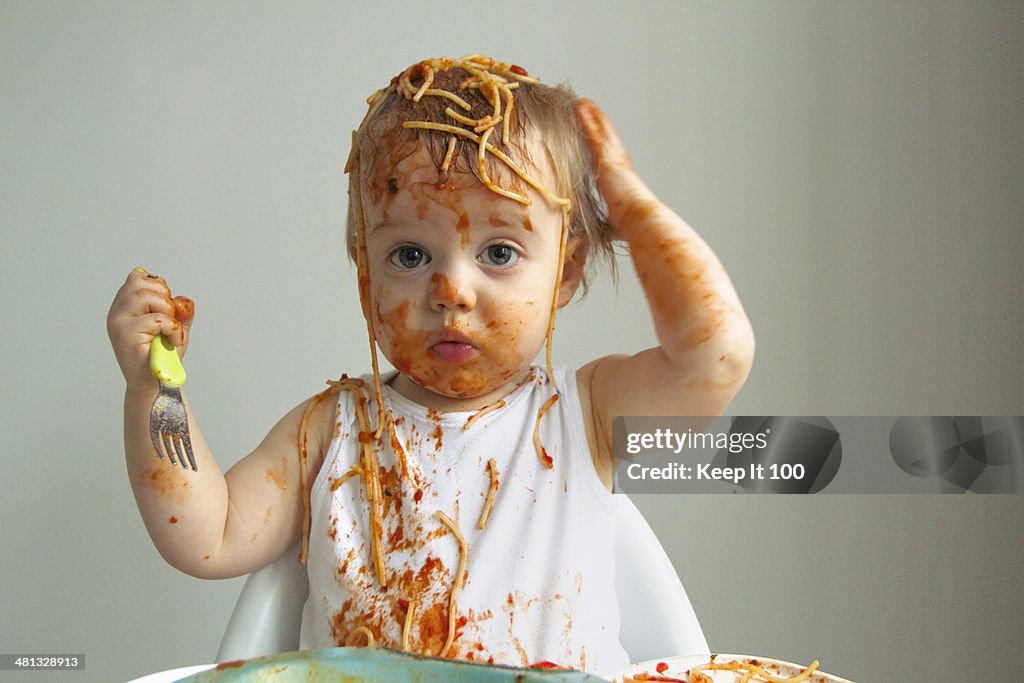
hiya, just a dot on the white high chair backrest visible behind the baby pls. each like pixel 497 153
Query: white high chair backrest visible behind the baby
pixel 658 620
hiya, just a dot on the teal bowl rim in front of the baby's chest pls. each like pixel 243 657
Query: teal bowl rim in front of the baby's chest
pixel 354 665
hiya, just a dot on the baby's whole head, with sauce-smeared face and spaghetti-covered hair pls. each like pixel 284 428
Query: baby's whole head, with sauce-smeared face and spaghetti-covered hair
pixel 474 210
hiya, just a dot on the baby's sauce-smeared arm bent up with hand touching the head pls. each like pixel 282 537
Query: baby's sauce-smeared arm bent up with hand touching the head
pixel 706 341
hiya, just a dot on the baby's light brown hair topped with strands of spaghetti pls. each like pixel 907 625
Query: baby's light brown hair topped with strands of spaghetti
pixel 440 105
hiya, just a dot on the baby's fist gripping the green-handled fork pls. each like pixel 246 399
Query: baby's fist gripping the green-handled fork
pixel 142 310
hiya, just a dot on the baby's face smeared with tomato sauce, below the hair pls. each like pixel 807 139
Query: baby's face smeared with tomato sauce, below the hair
pixel 461 279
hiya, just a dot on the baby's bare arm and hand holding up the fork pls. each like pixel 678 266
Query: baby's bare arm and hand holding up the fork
pixel 203 523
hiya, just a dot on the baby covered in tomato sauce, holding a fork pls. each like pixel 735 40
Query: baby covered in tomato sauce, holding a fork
pixel 459 506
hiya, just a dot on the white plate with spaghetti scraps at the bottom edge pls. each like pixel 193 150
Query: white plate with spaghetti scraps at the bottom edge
pixel 727 669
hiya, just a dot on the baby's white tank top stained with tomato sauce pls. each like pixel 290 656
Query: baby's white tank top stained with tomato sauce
pixel 540 583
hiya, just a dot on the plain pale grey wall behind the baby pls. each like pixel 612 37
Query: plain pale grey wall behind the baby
pixel 857 167
